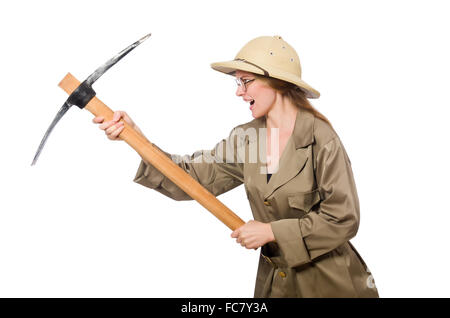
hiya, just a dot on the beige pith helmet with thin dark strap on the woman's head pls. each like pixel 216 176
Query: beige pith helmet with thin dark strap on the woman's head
pixel 270 56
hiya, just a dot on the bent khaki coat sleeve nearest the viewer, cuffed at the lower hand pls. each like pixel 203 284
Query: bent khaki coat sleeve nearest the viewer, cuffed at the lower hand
pixel 337 219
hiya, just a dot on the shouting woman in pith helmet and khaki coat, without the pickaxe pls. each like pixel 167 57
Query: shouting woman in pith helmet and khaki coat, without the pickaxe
pixel 302 191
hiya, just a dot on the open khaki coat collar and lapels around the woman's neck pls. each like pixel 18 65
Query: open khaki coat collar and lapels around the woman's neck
pixel 294 156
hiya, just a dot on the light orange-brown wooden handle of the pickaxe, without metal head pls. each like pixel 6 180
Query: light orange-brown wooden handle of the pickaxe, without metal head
pixel 159 160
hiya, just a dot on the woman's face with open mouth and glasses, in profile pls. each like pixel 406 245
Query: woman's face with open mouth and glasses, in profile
pixel 263 95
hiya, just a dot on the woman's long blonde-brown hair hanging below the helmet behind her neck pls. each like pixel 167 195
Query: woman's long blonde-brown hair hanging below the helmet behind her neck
pixel 295 94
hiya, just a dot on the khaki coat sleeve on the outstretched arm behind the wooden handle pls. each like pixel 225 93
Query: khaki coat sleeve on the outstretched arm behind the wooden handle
pixel 218 170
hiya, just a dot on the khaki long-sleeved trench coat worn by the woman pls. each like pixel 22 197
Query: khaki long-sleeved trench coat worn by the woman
pixel 311 203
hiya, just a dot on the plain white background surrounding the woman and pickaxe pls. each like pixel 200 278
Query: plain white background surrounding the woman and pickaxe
pixel 76 225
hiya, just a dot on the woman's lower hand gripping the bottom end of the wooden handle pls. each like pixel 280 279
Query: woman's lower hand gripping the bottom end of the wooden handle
pixel 253 234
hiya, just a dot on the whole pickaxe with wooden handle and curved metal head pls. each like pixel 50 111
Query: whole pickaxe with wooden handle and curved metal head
pixel 83 96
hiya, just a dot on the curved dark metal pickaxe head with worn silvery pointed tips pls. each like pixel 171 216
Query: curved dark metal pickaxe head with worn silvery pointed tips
pixel 84 93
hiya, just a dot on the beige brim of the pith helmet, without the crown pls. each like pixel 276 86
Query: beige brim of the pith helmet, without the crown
pixel 230 67
